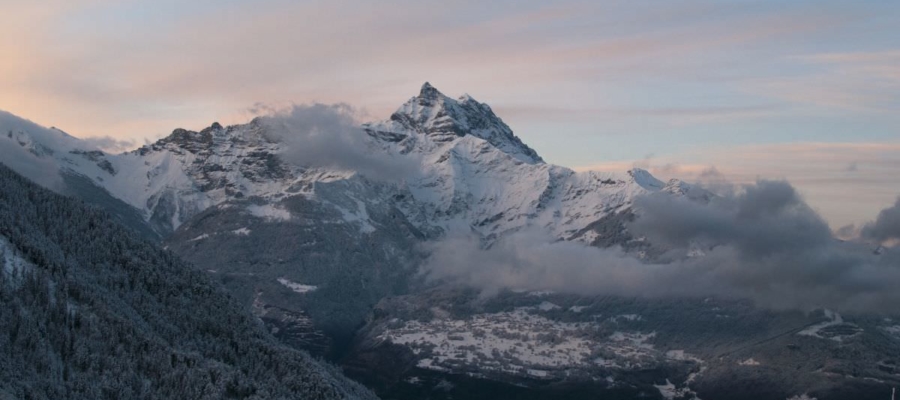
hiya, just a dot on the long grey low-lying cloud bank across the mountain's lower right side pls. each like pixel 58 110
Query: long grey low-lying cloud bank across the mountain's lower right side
pixel 761 243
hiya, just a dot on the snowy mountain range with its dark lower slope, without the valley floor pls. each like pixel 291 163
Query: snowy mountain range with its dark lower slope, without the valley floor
pixel 229 200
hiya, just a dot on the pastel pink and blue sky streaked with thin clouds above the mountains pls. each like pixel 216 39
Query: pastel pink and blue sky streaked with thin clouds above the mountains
pixel 807 91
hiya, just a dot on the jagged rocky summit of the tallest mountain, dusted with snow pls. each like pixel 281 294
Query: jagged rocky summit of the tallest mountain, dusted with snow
pixel 444 119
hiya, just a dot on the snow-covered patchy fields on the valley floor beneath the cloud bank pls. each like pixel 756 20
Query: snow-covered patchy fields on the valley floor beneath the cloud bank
pixel 519 342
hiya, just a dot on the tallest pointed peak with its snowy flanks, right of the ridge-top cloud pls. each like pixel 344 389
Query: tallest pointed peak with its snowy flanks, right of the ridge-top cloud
pixel 480 177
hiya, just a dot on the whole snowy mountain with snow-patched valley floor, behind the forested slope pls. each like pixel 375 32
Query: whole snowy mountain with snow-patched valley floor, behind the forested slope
pixel 327 256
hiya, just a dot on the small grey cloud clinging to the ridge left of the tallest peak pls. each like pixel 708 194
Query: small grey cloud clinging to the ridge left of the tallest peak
pixel 321 135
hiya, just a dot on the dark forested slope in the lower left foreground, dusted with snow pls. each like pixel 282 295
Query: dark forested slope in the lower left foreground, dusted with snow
pixel 89 310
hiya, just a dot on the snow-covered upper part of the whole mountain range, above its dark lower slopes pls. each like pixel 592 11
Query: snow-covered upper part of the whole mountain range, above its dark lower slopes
pixel 476 174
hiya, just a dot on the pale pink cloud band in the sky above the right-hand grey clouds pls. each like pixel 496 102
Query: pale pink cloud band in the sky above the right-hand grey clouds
pixel 822 171
